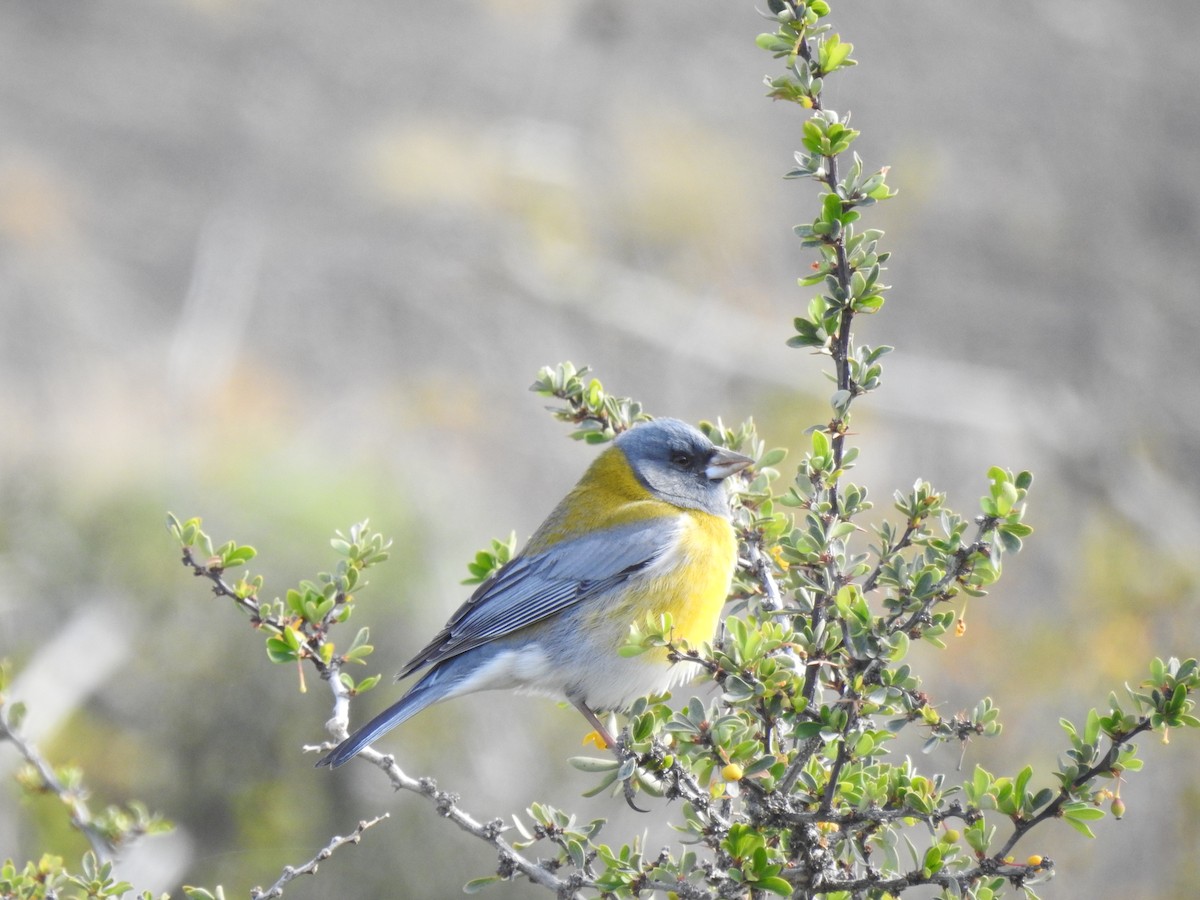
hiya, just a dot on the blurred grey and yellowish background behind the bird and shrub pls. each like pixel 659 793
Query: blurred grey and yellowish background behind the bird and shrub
pixel 290 266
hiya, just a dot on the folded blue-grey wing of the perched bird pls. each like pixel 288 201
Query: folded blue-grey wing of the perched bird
pixel 533 587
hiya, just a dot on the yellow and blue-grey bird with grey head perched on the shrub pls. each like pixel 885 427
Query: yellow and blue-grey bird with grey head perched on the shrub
pixel 646 531
